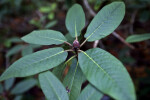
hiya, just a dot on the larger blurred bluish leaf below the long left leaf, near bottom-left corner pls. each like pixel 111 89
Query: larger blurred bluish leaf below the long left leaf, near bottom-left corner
pixel 24 86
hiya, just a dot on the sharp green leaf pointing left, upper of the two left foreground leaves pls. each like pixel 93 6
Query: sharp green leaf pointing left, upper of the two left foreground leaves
pixel 44 37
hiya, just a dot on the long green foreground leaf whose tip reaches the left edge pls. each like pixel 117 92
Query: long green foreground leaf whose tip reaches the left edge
pixel 35 63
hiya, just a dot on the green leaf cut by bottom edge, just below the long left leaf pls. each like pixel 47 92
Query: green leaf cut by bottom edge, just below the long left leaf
pixel 52 87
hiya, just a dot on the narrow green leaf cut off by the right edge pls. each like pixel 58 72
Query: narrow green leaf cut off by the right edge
pixel 138 37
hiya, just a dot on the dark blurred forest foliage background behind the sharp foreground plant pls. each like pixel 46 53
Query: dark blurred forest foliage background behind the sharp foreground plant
pixel 20 17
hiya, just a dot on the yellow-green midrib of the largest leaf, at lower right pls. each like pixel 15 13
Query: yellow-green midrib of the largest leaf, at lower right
pixel 103 71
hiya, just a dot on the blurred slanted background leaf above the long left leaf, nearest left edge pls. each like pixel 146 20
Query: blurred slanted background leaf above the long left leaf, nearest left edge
pixel 14 50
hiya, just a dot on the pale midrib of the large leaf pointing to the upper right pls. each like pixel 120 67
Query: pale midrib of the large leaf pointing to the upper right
pixel 103 22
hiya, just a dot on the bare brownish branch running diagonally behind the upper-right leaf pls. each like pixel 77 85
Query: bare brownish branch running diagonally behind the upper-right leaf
pixel 92 13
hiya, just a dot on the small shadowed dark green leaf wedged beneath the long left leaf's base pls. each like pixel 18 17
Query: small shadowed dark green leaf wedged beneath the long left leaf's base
pixel 59 71
